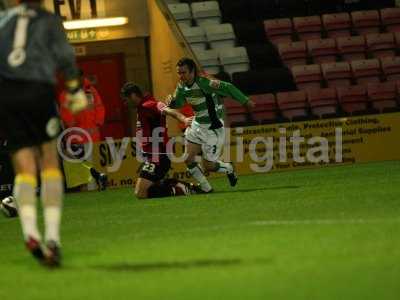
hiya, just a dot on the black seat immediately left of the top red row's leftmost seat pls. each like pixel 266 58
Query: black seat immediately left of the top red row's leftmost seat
pixel 250 32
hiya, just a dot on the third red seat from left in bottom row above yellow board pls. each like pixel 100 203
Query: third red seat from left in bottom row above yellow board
pixel 293 105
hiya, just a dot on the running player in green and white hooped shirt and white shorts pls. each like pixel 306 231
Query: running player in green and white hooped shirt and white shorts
pixel 206 134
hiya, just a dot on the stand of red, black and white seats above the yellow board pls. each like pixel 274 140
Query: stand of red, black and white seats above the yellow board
pixel 299 58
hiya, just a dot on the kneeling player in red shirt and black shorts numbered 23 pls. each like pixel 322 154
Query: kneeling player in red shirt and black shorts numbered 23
pixel 151 117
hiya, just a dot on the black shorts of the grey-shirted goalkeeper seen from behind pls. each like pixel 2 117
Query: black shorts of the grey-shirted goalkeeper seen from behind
pixel 28 114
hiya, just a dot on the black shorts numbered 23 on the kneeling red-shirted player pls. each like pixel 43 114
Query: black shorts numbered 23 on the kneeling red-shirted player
pixel 154 170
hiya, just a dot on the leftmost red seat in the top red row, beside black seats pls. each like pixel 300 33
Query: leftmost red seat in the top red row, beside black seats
pixel 279 30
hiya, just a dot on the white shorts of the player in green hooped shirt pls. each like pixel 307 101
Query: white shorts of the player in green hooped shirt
pixel 211 141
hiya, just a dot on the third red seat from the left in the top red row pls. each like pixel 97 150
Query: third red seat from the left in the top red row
pixel 337 25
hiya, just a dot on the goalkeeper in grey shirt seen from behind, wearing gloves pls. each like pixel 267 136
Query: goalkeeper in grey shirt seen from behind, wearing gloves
pixel 33 47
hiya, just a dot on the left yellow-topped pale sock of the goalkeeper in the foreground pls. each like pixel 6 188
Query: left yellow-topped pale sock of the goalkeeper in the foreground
pixel 25 195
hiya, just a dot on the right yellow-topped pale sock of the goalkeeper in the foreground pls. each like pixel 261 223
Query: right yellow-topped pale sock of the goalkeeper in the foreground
pixel 51 194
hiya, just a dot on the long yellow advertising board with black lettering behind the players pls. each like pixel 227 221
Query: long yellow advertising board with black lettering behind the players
pixel 278 147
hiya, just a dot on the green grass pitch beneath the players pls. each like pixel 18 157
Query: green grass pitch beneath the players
pixel 331 233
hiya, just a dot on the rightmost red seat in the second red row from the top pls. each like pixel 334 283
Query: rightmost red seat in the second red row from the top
pixel 381 44
